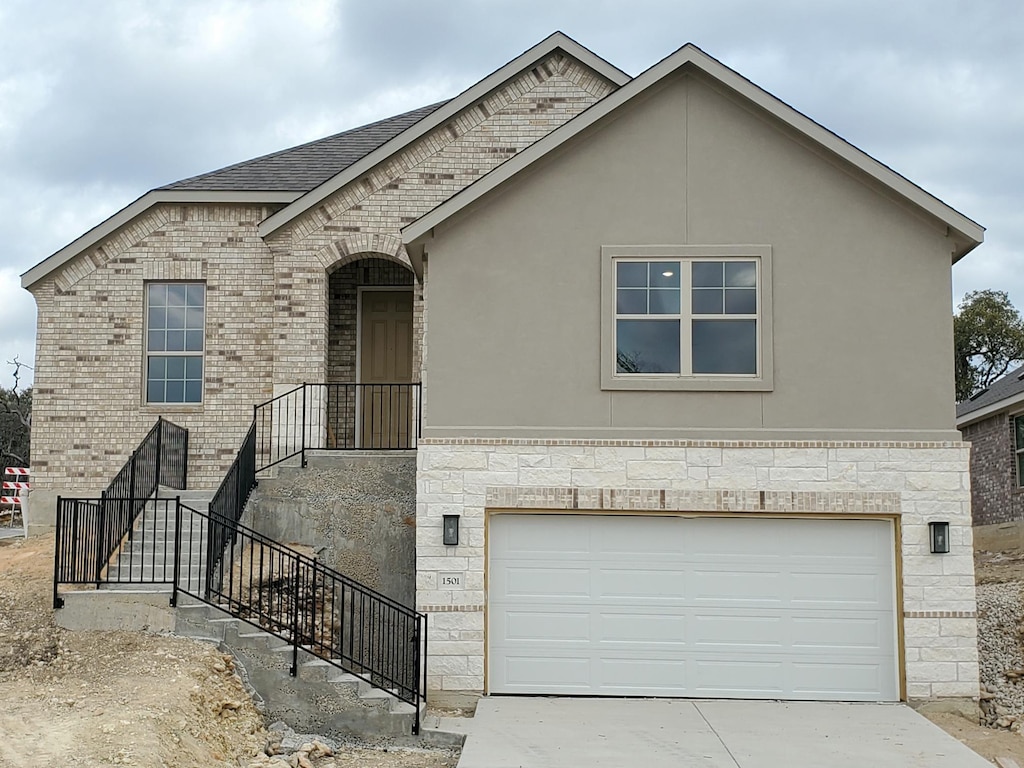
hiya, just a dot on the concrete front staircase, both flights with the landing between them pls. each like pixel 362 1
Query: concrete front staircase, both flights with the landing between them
pixel 322 699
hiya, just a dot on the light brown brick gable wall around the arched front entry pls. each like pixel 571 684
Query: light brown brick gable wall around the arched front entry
pixel 370 212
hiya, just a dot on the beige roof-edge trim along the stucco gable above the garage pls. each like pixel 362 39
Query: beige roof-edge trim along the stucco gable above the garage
pixel 965 233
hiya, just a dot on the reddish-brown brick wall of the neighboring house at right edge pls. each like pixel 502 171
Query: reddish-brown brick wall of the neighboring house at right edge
pixel 996 497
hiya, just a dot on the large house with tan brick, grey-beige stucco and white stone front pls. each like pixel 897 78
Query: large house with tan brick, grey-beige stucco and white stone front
pixel 652 319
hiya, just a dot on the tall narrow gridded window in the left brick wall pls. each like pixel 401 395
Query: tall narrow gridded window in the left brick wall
pixel 175 343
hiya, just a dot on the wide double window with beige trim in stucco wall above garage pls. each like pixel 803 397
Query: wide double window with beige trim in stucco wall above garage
pixel 687 318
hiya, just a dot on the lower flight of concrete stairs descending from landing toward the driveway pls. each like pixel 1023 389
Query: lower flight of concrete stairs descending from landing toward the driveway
pixel 322 699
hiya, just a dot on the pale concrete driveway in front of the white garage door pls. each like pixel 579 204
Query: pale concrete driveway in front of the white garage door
pixel 537 733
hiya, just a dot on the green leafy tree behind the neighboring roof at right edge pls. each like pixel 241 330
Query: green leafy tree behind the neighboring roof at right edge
pixel 989 335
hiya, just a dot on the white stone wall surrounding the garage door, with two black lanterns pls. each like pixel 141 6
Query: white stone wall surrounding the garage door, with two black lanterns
pixel 917 482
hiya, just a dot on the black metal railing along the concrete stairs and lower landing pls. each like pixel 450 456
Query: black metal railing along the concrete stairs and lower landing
pixel 131 536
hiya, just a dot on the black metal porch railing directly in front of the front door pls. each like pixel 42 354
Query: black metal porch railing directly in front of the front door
pixel 337 417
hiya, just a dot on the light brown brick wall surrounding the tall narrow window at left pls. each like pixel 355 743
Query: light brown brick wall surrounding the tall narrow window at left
pixel 89 409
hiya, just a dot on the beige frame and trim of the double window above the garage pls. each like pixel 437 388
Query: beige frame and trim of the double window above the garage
pixel 612 379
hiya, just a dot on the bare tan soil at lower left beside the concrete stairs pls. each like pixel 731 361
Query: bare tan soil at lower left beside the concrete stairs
pixel 94 699
